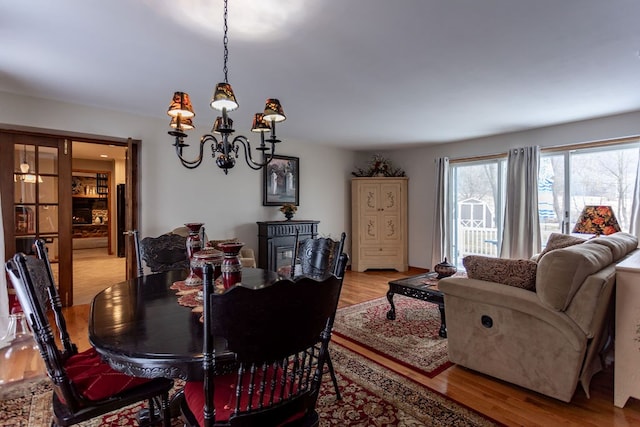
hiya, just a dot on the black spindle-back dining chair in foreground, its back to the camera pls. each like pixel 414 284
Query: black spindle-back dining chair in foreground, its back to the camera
pixel 280 335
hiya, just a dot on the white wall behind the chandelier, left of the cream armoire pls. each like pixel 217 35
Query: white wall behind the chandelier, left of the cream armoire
pixel 172 195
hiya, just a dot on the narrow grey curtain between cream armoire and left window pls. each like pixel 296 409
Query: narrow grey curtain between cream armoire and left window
pixel 440 241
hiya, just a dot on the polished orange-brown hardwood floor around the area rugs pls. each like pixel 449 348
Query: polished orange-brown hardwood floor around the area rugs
pixel 506 403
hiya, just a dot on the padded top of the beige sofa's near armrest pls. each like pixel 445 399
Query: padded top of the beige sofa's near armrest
pixel 512 298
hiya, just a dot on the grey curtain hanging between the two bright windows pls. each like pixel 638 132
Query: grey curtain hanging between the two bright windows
pixel 521 233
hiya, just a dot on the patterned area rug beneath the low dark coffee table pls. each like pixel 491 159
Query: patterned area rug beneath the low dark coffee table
pixel 411 340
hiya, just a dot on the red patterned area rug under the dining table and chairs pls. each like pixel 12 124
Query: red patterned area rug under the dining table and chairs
pixel 371 396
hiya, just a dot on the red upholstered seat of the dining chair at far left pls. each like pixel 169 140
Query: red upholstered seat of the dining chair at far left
pixel 94 379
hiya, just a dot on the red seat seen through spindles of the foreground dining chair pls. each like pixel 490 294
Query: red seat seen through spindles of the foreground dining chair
pixel 224 396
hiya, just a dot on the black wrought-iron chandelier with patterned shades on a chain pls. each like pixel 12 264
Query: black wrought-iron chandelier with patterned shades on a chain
pixel 225 147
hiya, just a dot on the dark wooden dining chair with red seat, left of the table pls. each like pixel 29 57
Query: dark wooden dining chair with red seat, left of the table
pixel 84 385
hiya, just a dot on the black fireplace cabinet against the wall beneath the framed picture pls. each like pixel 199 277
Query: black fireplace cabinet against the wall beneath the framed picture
pixel 276 239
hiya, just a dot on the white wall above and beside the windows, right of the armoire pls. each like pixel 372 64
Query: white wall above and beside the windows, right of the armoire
pixel 419 165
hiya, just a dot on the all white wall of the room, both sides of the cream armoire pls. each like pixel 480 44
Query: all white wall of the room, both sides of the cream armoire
pixel 230 205
